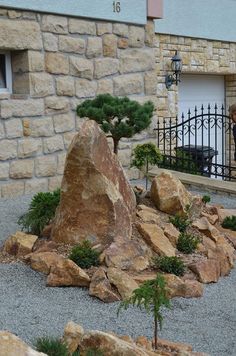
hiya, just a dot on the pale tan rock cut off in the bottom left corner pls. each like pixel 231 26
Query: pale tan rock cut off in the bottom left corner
pixel 11 345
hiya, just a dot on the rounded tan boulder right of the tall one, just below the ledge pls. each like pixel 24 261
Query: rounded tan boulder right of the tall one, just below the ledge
pixel 169 194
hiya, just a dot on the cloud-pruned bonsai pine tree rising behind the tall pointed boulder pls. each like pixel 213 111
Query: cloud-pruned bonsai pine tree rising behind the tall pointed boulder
pixel 118 117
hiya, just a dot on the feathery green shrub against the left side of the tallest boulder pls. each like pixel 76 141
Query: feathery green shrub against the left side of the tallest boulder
pixel 41 211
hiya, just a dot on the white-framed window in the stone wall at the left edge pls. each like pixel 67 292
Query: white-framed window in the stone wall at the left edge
pixel 5 73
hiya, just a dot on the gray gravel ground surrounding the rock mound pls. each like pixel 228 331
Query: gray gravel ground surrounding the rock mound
pixel 29 309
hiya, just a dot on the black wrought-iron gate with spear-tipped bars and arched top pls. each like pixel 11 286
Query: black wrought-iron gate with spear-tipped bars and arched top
pixel 200 144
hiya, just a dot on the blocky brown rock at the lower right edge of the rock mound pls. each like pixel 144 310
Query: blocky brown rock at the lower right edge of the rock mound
pixel 207 271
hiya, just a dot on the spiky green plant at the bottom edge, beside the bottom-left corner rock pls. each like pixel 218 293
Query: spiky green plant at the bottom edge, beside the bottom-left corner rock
pixel 52 346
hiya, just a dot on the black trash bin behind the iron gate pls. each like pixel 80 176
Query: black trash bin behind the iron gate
pixel 201 155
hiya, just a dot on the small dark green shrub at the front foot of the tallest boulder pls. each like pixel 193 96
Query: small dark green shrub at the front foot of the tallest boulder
pixel 84 255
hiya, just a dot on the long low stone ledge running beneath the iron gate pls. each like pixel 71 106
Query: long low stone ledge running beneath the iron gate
pixel 210 184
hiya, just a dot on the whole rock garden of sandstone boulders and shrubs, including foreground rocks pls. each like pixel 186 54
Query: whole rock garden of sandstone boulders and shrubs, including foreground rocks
pixel 125 244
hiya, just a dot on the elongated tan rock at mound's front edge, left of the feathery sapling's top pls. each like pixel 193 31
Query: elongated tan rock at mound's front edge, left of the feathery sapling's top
pixel 122 281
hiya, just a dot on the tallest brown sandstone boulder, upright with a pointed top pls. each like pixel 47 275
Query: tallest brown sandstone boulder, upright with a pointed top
pixel 97 202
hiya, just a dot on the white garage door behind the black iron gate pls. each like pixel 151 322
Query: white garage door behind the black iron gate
pixel 198 90
